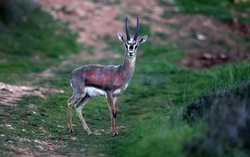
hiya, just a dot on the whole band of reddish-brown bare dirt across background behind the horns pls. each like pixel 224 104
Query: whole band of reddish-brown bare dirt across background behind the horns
pixel 207 42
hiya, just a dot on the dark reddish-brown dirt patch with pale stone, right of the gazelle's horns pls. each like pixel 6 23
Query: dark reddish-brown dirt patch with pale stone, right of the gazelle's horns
pixel 208 42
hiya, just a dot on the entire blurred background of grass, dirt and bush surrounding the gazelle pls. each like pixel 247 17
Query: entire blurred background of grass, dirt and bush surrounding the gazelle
pixel 201 48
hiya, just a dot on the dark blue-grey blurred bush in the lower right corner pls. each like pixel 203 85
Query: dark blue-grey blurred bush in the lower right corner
pixel 227 117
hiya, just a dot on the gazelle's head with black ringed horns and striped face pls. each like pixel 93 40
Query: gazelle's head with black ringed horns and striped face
pixel 131 44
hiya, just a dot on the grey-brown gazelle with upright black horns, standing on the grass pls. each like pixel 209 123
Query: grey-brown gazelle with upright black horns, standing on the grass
pixel 111 81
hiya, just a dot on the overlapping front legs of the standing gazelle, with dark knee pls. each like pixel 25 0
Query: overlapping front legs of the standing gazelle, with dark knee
pixel 113 112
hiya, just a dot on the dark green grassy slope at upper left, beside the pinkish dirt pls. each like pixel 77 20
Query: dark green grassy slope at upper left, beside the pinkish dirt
pixel 33 44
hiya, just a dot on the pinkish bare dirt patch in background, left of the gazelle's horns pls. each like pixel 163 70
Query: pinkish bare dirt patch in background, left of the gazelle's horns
pixel 87 18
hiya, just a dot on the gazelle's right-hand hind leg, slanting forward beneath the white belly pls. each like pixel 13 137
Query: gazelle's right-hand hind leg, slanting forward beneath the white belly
pixel 79 108
